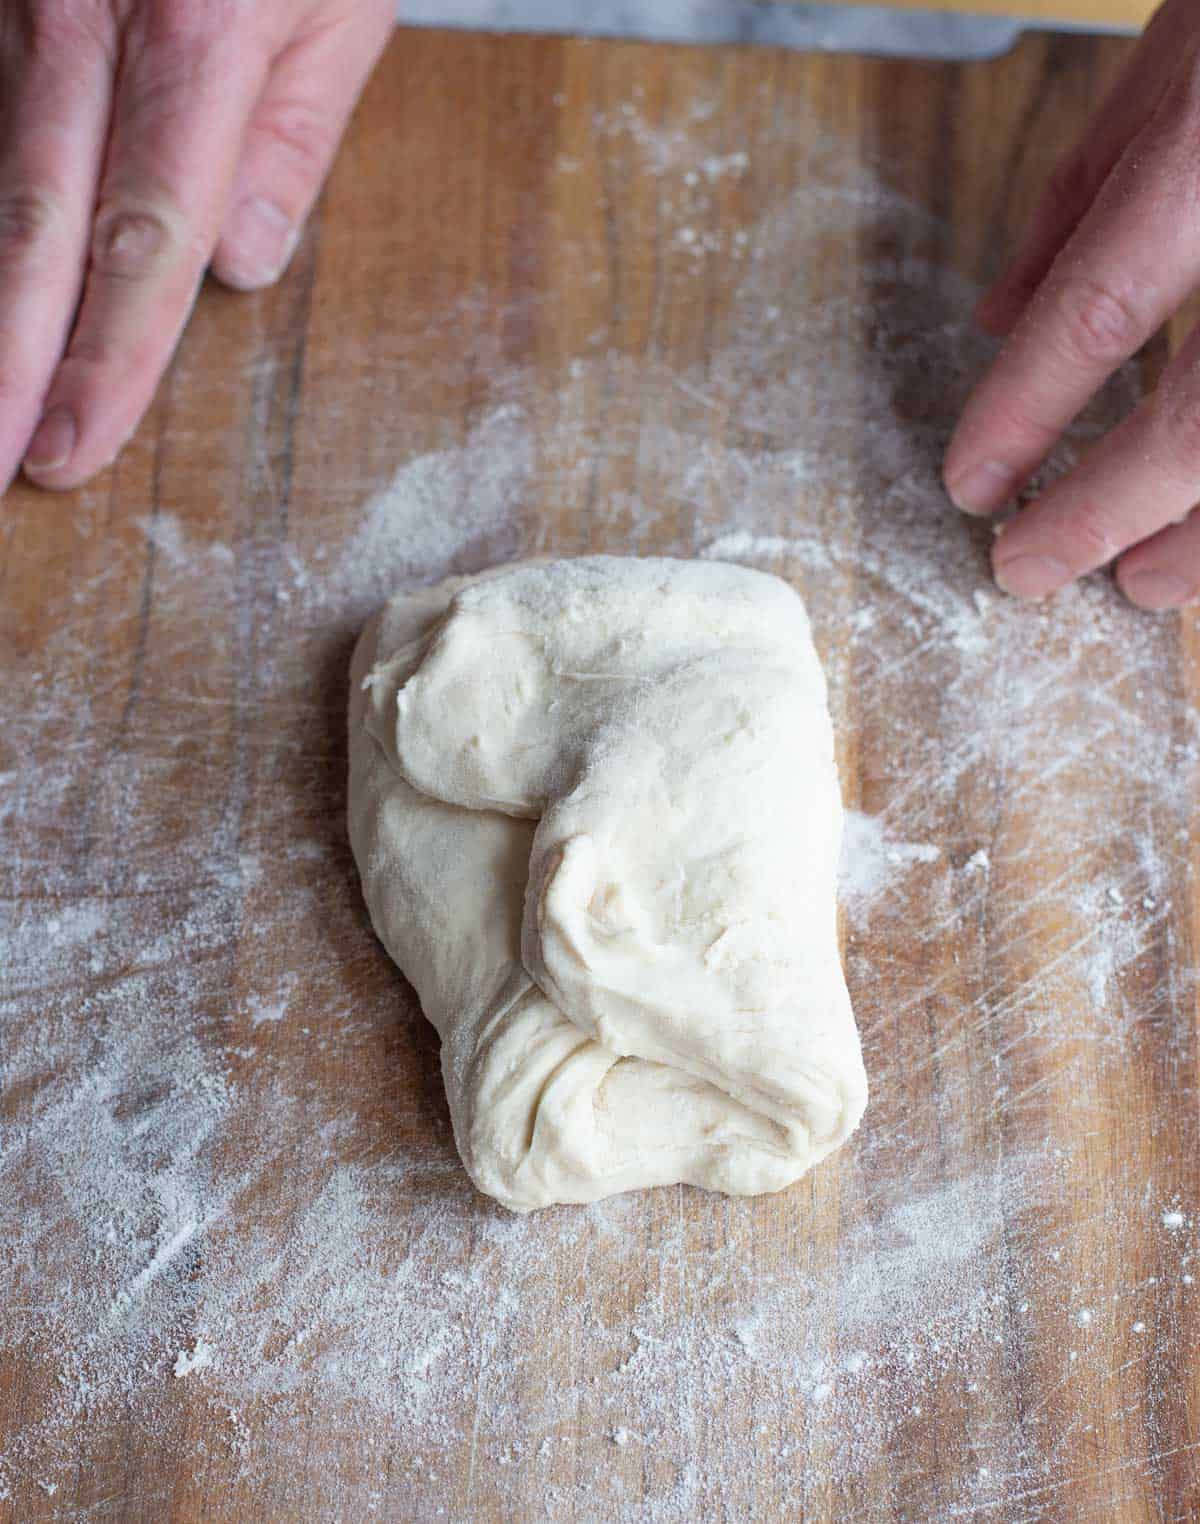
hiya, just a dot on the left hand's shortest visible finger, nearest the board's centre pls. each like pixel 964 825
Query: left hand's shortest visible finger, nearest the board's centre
pixel 292 141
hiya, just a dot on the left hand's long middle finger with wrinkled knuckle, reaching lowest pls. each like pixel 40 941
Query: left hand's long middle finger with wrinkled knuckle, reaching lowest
pixel 181 103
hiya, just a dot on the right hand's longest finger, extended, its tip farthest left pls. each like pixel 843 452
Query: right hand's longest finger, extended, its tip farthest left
pixel 1131 264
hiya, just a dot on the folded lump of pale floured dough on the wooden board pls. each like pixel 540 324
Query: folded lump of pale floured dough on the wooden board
pixel 597 816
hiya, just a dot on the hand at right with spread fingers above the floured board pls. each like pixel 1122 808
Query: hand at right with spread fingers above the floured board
pixel 1112 254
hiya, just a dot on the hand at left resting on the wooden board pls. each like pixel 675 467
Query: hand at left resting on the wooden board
pixel 143 141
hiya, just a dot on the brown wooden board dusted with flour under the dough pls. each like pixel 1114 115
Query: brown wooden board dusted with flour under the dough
pixel 570 298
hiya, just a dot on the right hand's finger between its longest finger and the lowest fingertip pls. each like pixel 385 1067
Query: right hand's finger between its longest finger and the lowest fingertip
pixel 1140 479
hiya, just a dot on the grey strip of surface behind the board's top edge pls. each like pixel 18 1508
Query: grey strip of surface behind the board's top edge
pixel 810 28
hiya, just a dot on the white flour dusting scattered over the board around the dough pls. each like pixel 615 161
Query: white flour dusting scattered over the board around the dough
pixel 181 1217
